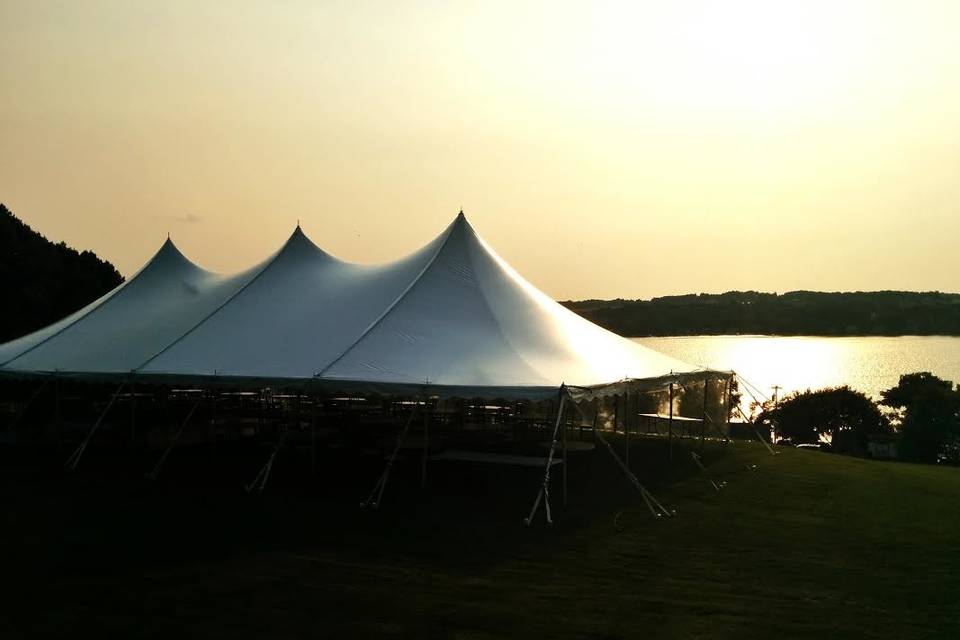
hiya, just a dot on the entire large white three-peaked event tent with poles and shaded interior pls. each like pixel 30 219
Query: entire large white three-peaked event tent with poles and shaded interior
pixel 440 351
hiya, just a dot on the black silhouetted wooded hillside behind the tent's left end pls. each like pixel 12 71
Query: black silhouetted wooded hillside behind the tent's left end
pixel 41 281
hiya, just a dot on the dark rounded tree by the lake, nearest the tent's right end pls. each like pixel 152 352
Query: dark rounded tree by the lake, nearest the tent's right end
pixel 846 416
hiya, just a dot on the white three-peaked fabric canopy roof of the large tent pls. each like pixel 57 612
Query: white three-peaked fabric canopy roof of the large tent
pixel 452 315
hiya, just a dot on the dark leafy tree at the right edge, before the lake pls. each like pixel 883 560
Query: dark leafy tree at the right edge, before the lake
pixel 928 410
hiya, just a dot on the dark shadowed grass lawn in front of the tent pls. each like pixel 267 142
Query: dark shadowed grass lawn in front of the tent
pixel 806 545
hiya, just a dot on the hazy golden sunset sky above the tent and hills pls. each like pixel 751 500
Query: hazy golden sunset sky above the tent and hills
pixel 605 149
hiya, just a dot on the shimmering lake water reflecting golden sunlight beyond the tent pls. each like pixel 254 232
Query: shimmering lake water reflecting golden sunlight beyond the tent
pixel 868 364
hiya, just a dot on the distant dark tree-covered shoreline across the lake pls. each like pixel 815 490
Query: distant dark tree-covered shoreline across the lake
pixel 795 313
